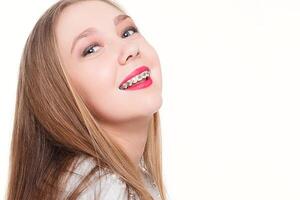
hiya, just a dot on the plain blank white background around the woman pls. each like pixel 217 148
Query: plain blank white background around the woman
pixel 231 105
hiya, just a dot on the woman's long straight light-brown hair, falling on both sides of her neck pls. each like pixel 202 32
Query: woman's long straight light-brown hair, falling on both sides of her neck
pixel 52 125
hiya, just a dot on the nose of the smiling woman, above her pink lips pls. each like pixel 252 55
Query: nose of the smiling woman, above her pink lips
pixel 129 52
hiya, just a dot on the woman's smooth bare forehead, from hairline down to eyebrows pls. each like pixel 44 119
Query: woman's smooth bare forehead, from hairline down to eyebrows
pixel 81 15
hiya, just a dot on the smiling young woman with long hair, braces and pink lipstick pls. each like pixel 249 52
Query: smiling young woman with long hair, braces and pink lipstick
pixel 86 121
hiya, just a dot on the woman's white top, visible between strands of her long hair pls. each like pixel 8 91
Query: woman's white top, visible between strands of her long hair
pixel 108 187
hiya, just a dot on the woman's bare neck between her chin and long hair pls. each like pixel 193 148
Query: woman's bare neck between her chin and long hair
pixel 130 135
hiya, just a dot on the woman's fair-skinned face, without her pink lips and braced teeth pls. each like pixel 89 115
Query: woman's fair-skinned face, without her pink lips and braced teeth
pixel 99 48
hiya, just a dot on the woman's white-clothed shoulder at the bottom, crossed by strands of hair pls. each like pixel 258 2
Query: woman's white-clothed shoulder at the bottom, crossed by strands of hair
pixel 103 185
